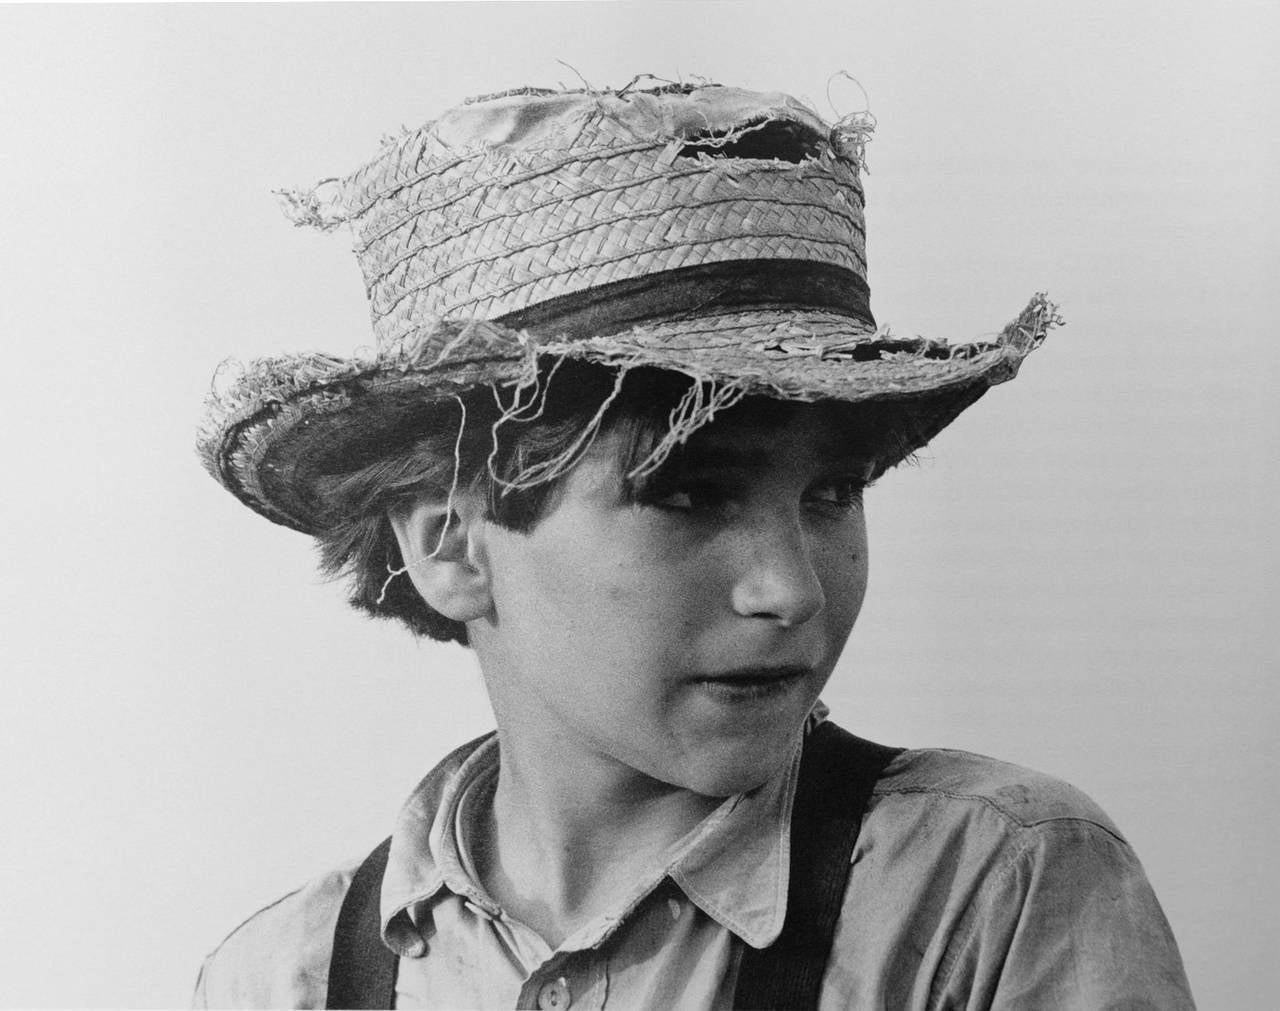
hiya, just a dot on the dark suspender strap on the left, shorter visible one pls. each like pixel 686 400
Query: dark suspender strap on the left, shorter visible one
pixel 363 969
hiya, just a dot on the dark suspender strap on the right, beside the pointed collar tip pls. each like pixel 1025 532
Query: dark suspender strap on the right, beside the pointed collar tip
pixel 838 774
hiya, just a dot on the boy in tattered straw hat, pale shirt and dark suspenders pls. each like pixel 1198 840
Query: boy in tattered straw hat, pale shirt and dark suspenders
pixel 627 399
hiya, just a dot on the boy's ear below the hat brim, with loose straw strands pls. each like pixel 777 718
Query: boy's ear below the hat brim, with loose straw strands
pixel 440 551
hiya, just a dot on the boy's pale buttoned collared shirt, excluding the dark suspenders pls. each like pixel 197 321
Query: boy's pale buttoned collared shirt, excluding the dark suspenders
pixel 975 885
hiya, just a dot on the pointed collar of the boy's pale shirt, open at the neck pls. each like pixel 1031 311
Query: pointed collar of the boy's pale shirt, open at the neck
pixel 734 866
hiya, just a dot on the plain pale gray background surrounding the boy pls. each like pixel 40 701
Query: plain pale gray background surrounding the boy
pixel 1081 578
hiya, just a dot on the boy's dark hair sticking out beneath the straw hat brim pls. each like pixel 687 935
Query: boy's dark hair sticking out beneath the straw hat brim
pixel 516 463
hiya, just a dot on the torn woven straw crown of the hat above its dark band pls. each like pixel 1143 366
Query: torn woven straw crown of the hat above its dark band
pixel 511 202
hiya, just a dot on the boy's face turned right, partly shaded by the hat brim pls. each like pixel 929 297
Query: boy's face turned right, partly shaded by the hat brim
pixel 685 637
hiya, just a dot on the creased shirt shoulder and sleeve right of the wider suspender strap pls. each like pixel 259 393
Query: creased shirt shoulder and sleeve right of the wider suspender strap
pixel 973 876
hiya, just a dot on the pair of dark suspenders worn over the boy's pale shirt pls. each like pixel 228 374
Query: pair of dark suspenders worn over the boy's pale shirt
pixel 838 774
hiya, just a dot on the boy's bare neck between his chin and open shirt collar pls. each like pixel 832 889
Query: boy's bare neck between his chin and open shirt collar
pixel 565 839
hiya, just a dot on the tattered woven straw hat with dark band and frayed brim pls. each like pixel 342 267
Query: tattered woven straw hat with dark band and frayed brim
pixel 707 230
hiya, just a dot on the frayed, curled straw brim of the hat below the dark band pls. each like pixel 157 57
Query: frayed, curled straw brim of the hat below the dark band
pixel 273 427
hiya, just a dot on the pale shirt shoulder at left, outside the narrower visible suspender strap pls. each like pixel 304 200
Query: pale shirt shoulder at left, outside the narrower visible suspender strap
pixel 280 957
